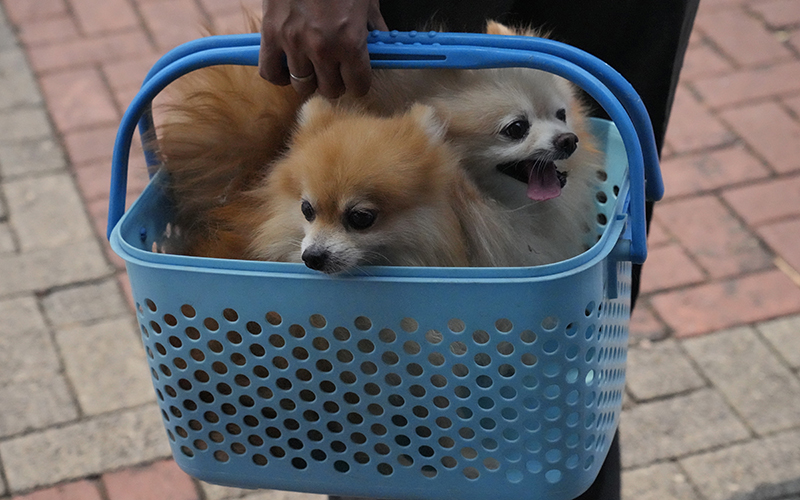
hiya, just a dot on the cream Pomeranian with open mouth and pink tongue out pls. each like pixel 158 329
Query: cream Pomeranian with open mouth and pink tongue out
pixel 523 138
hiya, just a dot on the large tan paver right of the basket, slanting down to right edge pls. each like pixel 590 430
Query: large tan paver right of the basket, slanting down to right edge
pixel 750 377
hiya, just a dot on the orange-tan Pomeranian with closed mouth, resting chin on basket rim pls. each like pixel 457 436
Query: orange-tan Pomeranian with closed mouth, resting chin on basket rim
pixel 354 189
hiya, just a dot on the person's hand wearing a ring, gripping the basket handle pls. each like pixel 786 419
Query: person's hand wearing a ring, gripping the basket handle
pixel 325 42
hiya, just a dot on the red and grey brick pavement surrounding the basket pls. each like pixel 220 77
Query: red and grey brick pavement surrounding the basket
pixel 712 408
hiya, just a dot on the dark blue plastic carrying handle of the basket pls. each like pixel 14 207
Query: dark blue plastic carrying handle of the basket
pixel 430 50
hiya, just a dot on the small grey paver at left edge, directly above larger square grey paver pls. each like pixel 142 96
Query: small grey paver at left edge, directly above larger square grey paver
pixel 30 157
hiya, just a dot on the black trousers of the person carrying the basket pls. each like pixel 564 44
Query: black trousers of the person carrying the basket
pixel 644 40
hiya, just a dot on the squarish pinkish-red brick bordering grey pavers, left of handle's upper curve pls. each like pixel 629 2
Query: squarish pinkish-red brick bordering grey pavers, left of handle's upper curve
pixel 78 99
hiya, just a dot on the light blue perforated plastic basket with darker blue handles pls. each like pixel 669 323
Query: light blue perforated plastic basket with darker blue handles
pixel 429 383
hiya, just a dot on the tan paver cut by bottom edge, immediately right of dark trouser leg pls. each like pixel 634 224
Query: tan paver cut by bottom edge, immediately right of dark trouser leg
pixel 658 482
